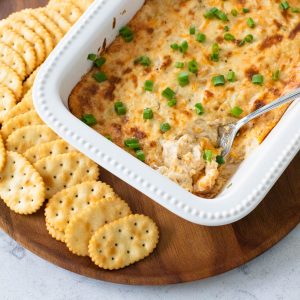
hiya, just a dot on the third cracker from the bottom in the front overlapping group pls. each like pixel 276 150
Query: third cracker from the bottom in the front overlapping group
pixel 68 202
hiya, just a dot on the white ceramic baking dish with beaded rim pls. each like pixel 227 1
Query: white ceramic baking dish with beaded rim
pixel 64 68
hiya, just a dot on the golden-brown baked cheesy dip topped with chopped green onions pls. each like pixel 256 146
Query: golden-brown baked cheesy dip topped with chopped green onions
pixel 182 68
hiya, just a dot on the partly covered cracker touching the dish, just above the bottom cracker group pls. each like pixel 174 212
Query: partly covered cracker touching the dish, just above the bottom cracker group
pixel 65 170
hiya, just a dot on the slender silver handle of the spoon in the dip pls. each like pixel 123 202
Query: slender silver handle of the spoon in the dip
pixel 274 104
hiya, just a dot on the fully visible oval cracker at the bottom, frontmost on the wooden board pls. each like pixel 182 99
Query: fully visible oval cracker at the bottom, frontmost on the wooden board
pixel 123 242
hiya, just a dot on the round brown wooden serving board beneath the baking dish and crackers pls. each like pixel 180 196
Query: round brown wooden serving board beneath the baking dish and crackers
pixel 186 251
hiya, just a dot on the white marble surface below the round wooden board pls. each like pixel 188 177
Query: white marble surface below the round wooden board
pixel 273 275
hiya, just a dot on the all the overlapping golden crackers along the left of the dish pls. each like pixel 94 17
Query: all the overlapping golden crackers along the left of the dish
pixel 36 165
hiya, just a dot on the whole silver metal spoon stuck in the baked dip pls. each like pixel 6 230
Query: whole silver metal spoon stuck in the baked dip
pixel 227 133
